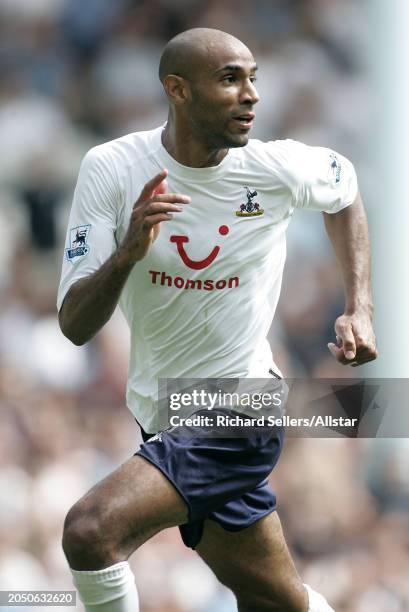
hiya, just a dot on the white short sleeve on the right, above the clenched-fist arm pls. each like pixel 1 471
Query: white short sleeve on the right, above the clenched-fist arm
pixel 320 179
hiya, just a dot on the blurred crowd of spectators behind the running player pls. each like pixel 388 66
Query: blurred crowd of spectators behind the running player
pixel 75 74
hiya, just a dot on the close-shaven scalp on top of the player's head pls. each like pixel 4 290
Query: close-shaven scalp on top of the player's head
pixel 192 51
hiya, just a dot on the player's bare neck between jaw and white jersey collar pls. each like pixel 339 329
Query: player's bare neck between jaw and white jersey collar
pixel 182 145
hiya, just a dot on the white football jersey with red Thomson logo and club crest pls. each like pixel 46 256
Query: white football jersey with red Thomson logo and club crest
pixel 200 304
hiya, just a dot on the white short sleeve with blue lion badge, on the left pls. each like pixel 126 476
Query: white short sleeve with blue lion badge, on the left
pixel 90 238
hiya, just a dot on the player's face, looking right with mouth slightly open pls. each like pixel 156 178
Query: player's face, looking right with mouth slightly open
pixel 223 95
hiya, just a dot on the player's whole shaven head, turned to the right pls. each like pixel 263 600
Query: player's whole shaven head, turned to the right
pixel 208 76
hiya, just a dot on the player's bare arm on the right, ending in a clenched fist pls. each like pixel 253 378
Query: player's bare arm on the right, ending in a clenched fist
pixel 348 232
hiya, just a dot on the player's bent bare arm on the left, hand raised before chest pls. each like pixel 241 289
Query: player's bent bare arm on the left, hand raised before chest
pixel 90 301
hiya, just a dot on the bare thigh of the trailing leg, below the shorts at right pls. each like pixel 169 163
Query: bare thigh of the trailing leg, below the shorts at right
pixel 255 564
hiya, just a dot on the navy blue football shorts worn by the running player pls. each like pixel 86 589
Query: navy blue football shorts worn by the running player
pixel 220 478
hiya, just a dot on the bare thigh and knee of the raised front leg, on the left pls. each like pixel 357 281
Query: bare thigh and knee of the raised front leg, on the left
pixel 121 512
